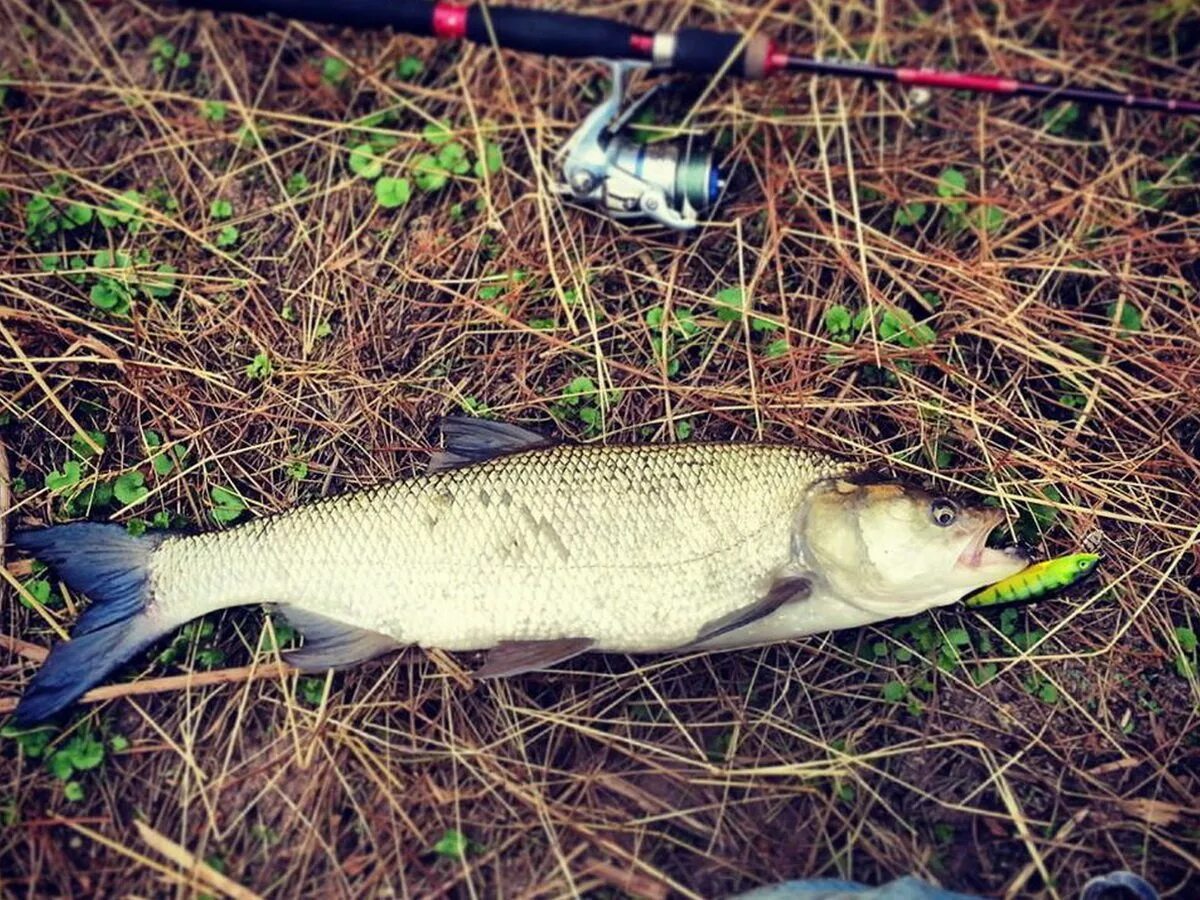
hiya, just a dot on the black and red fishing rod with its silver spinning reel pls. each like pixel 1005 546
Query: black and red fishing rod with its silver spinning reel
pixel 670 182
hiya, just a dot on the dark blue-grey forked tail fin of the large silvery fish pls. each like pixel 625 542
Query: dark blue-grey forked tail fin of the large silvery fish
pixel 112 567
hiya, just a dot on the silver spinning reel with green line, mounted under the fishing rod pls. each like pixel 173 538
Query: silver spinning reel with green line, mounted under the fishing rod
pixel 669 182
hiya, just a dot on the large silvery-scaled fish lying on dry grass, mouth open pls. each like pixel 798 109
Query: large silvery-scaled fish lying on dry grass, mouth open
pixel 535 551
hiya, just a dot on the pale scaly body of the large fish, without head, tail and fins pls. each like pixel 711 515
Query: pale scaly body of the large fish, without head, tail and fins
pixel 637 548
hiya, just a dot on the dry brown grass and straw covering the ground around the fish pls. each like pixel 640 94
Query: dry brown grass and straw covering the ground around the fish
pixel 689 777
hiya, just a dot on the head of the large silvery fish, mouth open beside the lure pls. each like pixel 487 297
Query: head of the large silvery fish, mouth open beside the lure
pixel 896 550
